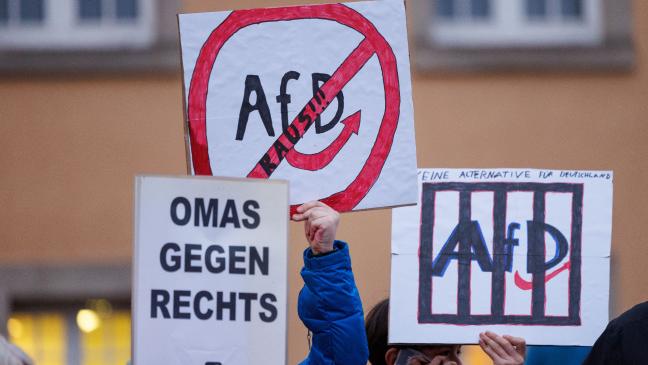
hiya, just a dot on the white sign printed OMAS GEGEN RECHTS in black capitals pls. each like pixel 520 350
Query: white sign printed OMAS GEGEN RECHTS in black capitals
pixel 210 263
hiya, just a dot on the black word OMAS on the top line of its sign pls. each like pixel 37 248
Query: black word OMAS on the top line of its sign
pixel 207 213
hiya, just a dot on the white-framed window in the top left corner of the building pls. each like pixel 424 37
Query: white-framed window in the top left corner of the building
pixel 78 24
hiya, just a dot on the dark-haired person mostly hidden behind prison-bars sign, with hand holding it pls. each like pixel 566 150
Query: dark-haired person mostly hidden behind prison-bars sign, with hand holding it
pixel 503 350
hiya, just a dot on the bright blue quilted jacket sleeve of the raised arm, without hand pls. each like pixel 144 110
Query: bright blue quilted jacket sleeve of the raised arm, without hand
pixel 330 307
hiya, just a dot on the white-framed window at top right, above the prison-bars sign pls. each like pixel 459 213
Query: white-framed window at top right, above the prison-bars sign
pixel 519 23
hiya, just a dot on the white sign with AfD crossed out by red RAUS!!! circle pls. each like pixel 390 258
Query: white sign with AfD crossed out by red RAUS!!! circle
pixel 310 94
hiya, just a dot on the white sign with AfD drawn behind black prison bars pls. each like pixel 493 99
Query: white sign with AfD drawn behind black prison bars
pixel 522 252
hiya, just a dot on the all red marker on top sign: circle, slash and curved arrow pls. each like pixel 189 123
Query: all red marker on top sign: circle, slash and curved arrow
pixel 373 45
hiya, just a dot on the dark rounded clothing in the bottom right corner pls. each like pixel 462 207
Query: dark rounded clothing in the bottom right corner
pixel 624 341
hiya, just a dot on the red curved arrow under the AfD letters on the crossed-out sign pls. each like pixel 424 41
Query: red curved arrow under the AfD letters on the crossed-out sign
pixel 318 161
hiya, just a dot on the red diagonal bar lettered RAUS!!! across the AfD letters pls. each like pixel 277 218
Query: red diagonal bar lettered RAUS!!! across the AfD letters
pixel 295 131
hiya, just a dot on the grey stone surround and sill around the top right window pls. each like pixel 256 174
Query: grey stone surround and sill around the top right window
pixel 614 51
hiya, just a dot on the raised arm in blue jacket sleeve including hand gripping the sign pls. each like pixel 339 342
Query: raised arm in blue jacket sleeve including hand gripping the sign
pixel 329 303
